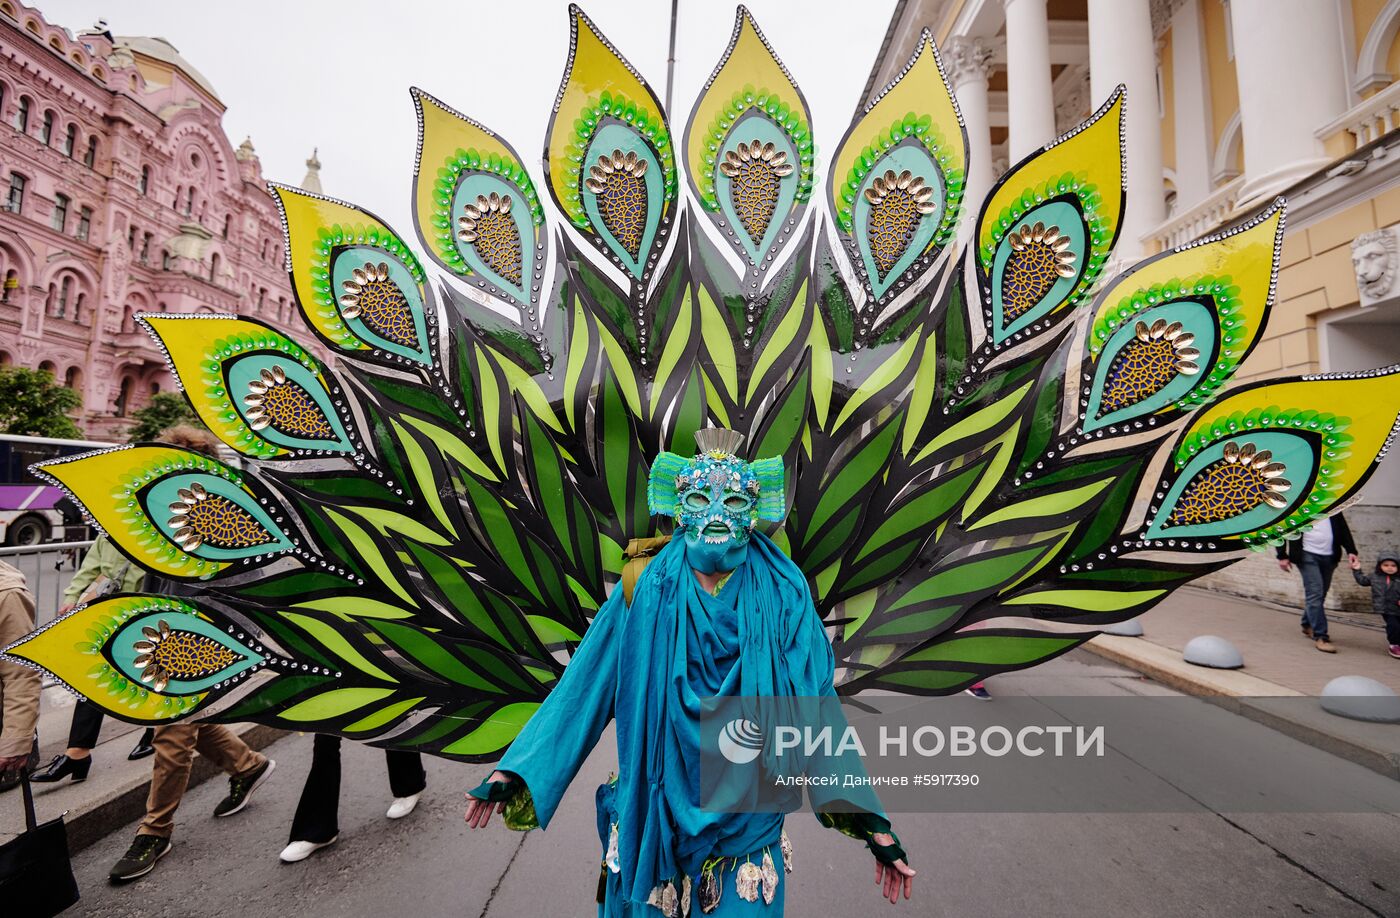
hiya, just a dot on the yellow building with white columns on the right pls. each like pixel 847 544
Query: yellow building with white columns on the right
pixel 1231 103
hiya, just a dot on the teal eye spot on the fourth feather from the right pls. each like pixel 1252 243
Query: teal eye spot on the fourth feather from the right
pixel 898 213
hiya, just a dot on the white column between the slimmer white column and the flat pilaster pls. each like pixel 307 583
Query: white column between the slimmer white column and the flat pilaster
pixel 1122 51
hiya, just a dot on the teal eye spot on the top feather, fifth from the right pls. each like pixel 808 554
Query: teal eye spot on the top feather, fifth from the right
pixel 757 183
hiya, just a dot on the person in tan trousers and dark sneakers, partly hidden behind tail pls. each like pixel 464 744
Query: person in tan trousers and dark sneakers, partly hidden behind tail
pixel 176 745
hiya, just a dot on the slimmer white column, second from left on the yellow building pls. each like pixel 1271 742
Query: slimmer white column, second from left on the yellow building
pixel 1030 93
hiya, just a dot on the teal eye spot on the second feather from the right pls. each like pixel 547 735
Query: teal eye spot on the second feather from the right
pixel 1151 363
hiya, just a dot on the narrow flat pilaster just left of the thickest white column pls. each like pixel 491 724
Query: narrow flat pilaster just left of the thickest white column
pixel 1192 103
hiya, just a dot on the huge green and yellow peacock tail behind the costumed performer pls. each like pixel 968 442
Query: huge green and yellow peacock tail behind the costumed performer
pixel 992 453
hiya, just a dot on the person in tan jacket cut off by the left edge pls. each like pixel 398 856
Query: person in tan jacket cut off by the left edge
pixel 19 685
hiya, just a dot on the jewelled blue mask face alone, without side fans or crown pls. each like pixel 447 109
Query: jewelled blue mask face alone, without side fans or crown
pixel 717 497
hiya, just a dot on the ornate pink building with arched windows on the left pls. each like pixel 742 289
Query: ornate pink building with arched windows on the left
pixel 121 195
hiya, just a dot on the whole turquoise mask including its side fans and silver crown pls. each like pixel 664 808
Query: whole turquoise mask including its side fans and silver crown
pixel 716 499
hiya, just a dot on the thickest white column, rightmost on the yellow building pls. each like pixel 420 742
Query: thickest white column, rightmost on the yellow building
pixel 1291 83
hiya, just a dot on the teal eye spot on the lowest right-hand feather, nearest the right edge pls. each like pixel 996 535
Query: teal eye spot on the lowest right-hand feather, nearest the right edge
pixel 1235 486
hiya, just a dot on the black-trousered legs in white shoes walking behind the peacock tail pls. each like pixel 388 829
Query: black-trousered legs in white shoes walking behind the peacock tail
pixel 317 822
